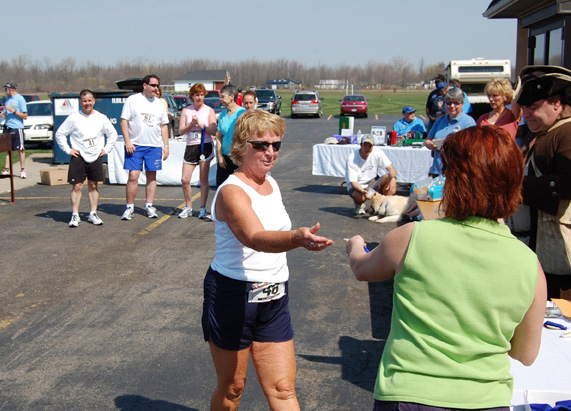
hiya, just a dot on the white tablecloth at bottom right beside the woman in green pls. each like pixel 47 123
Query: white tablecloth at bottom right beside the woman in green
pixel 551 371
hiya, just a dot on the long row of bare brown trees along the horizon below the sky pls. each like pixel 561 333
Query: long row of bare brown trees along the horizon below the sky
pixel 68 75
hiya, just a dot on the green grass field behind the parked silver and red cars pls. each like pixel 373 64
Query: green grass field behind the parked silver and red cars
pixel 380 102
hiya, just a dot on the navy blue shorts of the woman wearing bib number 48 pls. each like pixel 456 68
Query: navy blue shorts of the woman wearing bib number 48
pixel 231 323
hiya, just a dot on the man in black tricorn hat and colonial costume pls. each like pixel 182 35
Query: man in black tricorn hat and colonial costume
pixel 544 93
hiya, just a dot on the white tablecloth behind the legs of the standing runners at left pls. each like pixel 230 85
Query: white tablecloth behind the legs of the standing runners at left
pixel 171 173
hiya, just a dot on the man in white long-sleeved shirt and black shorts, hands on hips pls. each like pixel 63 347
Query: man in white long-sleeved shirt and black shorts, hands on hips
pixel 87 130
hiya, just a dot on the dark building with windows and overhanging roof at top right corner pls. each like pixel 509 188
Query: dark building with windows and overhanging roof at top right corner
pixel 543 29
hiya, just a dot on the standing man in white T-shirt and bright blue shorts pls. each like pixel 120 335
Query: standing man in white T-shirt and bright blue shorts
pixel 144 124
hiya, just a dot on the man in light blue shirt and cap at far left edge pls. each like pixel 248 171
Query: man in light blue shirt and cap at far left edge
pixel 15 112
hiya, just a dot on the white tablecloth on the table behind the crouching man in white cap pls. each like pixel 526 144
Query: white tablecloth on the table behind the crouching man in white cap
pixel 412 164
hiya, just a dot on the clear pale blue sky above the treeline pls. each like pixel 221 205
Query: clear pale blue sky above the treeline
pixel 310 31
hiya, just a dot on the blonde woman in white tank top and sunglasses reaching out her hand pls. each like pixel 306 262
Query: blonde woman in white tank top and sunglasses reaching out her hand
pixel 245 290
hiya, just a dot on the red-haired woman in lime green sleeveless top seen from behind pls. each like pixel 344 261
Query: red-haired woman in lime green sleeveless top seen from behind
pixel 467 293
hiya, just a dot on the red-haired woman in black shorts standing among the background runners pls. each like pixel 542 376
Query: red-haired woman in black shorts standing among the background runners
pixel 198 124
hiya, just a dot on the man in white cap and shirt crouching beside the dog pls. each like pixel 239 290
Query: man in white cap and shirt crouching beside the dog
pixel 362 174
